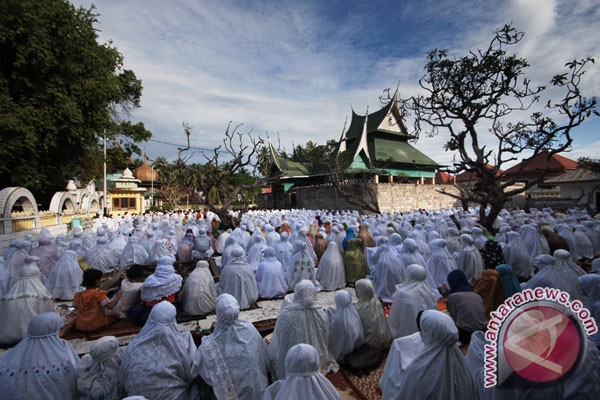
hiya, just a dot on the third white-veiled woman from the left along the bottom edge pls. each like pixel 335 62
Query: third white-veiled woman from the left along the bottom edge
pixel 157 362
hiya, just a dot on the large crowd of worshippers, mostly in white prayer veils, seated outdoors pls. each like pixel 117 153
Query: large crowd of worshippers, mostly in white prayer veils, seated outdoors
pixel 425 285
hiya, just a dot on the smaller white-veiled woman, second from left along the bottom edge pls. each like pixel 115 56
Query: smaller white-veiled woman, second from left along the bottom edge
pixel 98 371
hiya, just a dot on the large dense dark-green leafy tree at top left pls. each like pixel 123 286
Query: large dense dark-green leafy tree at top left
pixel 59 90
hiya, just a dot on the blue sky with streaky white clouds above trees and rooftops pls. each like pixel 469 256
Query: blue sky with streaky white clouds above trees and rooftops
pixel 295 69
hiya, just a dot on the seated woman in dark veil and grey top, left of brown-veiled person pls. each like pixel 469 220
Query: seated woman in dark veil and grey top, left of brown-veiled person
pixel 465 306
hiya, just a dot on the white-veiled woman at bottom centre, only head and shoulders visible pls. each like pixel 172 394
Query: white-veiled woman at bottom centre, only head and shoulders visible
pixel 303 381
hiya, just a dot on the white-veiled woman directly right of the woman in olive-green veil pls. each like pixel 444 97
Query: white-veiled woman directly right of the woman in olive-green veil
pixel 389 272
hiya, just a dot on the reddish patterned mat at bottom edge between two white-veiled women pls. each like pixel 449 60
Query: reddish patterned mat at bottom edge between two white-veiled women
pixel 358 387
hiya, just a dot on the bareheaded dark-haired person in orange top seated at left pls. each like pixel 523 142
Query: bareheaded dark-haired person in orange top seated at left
pixel 92 303
